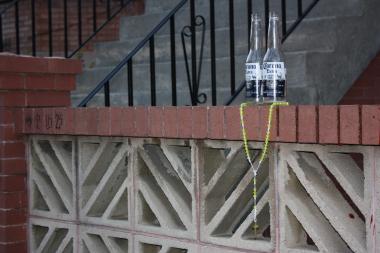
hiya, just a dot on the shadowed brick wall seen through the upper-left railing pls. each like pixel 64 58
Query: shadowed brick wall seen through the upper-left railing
pixel 111 32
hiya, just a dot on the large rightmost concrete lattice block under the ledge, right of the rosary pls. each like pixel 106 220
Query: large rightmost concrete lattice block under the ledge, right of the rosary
pixel 324 194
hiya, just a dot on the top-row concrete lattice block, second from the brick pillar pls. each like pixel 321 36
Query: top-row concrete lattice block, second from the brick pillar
pixel 104 181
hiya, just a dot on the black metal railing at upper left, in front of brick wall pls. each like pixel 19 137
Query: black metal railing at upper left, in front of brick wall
pixel 103 12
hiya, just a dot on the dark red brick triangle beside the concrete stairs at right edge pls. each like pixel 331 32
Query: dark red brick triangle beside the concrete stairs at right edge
pixel 366 89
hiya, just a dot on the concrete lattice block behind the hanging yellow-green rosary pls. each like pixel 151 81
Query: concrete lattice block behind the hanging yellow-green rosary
pixel 226 197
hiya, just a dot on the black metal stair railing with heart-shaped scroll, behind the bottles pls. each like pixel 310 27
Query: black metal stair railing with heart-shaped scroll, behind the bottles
pixel 193 69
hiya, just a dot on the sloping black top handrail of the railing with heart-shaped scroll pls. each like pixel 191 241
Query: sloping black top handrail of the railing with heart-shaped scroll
pixel 148 38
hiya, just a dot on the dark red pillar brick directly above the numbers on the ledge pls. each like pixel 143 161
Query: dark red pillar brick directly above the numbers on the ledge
pixel 48 98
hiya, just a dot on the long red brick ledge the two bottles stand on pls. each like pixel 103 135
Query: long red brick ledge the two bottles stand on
pixel 343 124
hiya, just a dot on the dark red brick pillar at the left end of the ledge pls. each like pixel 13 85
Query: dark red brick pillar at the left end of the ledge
pixel 24 82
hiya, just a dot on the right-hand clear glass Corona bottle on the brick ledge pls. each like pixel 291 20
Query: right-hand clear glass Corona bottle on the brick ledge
pixel 274 72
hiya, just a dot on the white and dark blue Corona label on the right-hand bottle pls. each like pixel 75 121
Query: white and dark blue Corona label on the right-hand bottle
pixel 274 79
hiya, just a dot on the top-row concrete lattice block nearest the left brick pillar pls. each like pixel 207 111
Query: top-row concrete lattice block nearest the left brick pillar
pixel 52 177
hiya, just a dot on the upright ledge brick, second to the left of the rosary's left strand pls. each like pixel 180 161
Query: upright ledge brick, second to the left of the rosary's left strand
pixel 216 122
